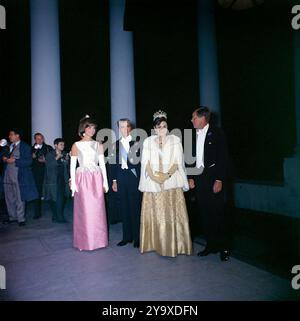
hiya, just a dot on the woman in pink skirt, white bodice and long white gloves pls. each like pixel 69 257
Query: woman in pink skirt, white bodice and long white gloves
pixel 88 184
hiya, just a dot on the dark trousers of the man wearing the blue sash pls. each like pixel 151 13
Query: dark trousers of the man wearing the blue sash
pixel 130 205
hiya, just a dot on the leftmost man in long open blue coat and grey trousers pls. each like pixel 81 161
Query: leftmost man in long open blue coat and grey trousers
pixel 19 185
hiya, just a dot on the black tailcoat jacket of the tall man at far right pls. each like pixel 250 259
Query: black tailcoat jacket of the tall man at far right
pixel 215 154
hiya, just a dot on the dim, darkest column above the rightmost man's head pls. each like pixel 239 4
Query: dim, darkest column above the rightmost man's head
pixel 208 60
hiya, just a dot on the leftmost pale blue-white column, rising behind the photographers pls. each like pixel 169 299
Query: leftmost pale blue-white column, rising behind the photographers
pixel 45 69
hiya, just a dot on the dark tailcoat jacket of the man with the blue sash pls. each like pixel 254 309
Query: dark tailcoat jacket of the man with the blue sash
pixel 115 161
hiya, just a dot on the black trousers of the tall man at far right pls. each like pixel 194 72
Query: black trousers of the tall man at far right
pixel 211 209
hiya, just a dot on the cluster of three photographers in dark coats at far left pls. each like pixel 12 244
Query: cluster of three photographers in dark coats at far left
pixel 33 174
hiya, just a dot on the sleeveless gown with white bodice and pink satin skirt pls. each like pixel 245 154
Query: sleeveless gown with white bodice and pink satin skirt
pixel 90 221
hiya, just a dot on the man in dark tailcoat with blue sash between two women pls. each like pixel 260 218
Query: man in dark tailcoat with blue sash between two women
pixel 125 176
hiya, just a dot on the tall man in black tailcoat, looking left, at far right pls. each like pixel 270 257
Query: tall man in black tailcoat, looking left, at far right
pixel 208 180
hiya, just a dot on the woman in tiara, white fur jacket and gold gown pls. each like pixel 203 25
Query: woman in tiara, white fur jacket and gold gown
pixel 164 218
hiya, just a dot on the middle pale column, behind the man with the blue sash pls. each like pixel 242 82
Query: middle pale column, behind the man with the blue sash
pixel 121 66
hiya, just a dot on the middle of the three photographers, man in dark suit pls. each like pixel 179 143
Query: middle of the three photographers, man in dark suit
pixel 39 152
